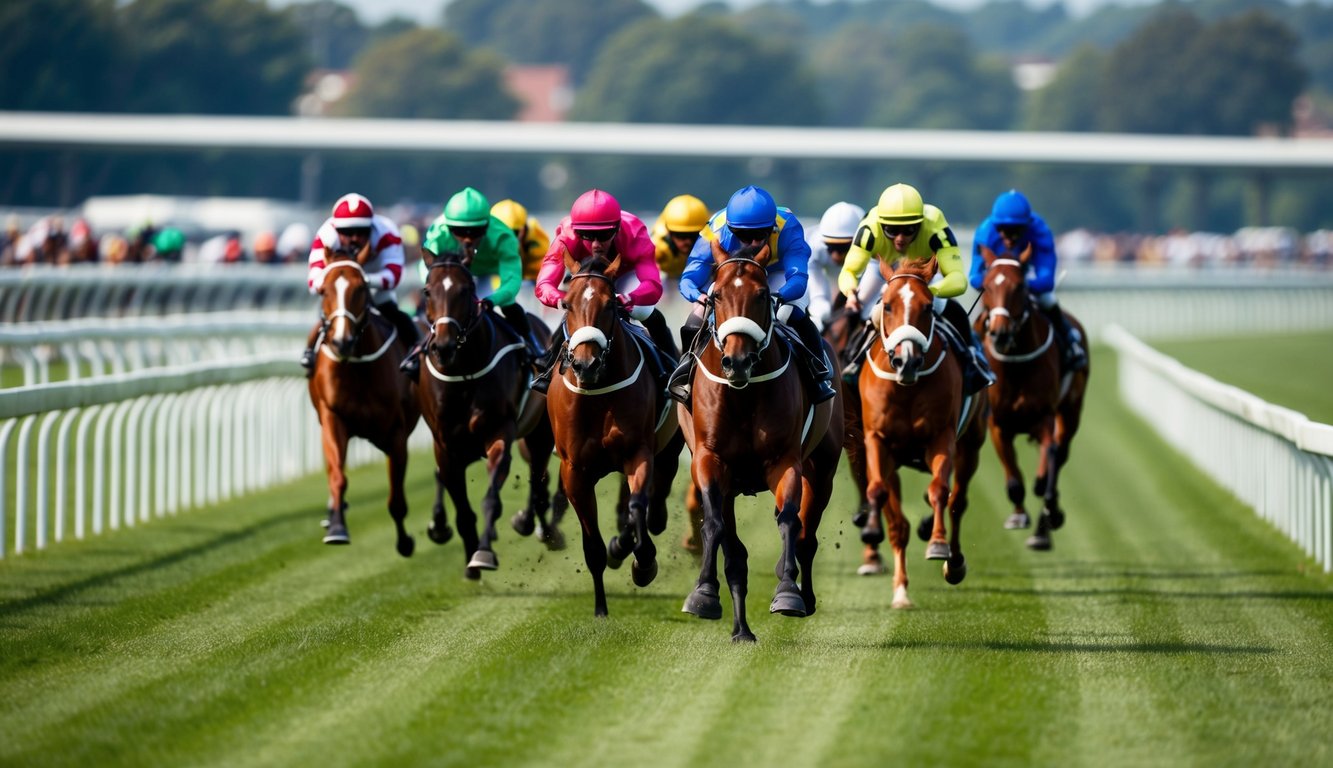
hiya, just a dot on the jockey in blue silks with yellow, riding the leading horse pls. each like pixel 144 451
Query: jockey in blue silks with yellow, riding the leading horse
pixel 754 218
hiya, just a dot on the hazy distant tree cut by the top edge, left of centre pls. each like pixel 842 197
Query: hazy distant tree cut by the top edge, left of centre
pixel 570 33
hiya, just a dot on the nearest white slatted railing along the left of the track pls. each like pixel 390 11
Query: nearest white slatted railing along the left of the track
pixel 81 458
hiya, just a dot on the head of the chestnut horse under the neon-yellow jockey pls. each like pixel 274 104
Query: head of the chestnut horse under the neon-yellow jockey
pixel 907 319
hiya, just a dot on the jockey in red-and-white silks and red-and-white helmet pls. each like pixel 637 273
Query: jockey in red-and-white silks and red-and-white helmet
pixel 347 231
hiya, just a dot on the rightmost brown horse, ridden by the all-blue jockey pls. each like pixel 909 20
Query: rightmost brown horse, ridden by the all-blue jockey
pixel 1030 397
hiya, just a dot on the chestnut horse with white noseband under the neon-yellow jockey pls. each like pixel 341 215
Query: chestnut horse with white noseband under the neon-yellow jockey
pixel 915 417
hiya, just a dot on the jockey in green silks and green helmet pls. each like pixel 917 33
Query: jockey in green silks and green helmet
pixel 469 227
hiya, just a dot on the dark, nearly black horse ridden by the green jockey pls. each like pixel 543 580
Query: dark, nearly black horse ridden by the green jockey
pixel 474 391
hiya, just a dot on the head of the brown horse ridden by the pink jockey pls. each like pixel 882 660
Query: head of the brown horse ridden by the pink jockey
pixel 591 309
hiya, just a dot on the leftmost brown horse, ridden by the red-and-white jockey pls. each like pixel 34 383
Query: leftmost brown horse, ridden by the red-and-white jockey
pixel 358 391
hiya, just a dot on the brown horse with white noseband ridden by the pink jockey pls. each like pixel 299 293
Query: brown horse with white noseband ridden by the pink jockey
pixel 610 415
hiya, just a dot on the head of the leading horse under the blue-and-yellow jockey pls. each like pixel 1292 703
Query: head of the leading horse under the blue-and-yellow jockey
pixel 743 310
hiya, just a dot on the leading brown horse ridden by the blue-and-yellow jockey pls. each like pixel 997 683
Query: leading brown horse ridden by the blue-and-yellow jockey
pixel 755 429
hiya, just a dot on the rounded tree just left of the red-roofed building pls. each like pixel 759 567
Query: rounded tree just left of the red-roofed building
pixel 429 74
